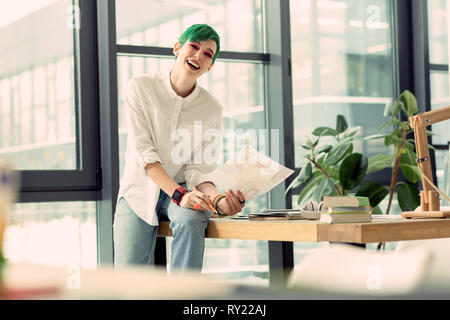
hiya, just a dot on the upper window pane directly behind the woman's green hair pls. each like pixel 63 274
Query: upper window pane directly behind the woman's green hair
pixel 160 23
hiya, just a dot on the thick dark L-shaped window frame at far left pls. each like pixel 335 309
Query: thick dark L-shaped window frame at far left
pixel 83 183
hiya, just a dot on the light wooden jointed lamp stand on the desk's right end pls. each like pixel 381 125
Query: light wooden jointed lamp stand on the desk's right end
pixel 429 197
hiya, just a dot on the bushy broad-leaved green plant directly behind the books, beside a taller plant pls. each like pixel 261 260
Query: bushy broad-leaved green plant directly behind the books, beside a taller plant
pixel 334 169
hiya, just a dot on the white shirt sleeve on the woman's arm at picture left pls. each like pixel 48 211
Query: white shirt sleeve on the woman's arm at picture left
pixel 139 132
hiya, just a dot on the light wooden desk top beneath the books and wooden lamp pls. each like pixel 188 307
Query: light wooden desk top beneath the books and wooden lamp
pixel 312 231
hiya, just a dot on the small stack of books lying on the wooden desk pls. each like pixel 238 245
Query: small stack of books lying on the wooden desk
pixel 346 209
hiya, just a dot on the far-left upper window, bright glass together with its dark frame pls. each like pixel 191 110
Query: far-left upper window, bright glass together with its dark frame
pixel 47 98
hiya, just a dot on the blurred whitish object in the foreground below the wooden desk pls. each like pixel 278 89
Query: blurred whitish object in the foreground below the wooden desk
pixel 348 270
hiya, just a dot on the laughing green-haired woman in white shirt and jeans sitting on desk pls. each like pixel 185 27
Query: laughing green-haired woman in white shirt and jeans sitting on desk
pixel 154 186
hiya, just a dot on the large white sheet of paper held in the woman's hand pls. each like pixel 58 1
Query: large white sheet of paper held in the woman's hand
pixel 251 172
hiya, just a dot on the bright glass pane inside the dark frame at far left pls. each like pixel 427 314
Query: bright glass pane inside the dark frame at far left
pixel 37 94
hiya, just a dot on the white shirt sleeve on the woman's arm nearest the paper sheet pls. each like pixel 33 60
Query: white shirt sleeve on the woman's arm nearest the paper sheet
pixel 196 174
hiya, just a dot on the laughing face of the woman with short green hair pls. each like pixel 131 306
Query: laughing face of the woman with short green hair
pixel 195 58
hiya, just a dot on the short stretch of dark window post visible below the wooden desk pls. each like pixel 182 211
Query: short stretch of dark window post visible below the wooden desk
pixel 281 262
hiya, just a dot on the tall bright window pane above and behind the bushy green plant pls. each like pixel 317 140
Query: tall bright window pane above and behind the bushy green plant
pixel 342 63
